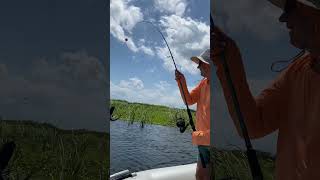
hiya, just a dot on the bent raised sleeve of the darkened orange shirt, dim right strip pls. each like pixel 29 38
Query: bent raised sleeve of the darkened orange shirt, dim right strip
pixel 262 114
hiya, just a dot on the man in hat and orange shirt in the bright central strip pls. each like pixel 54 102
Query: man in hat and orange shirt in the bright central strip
pixel 200 95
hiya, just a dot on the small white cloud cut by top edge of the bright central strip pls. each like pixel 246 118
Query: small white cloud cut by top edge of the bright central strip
pixel 177 7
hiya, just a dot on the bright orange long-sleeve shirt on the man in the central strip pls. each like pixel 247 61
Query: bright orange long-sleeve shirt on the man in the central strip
pixel 200 95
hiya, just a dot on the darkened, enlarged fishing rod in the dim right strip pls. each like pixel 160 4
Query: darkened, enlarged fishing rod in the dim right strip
pixel 251 153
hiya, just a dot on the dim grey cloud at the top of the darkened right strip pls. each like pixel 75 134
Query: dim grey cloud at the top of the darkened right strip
pixel 257 17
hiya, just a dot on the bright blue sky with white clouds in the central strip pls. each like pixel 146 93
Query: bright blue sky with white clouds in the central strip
pixel 140 69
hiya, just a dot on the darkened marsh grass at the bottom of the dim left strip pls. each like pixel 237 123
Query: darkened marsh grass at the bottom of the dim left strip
pixel 46 152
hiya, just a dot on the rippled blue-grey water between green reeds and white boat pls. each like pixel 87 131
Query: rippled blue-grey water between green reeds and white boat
pixel 153 146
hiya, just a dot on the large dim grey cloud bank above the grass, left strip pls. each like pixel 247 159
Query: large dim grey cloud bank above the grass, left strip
pixel 68 91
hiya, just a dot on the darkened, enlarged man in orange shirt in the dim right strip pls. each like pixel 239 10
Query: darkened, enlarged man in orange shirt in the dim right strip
pixel 291 104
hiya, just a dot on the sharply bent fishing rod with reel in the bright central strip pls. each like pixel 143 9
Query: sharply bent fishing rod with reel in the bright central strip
pixel 181 125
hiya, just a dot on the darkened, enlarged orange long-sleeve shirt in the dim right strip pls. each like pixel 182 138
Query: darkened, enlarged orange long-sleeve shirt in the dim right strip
pixel 291 104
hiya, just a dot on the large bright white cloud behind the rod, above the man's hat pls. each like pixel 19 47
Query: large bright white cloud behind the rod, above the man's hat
pixel 186 38
